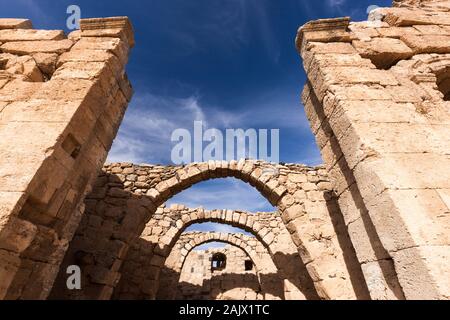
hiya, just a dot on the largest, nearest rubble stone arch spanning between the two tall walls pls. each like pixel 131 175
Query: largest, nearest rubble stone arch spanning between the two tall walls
pixel 126 196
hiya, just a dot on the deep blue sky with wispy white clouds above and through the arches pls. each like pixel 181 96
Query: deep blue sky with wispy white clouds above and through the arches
pixel 229 63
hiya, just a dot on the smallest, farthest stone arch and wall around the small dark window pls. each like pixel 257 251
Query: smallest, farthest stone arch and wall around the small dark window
pixel 263 279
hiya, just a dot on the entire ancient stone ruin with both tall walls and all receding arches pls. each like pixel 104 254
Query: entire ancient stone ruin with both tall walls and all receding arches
pixel 373 222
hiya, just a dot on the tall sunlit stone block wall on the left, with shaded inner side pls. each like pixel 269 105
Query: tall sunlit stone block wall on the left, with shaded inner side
pixel 61 102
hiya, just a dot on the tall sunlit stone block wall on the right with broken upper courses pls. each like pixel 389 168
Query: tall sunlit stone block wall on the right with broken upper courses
pixel 377 101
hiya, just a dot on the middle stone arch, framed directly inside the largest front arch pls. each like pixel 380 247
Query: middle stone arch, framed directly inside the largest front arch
pixel 167 224
